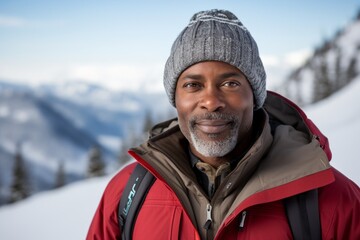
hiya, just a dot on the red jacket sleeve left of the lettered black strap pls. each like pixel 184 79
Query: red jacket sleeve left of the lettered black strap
pixel 104 225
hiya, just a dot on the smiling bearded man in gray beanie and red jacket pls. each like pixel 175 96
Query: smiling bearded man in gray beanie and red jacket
pixel 224 167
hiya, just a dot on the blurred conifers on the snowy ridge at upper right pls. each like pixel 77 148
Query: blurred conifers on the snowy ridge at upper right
pixel 331 67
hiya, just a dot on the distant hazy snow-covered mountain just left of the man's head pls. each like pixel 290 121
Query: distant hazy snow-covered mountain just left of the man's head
pixel 102 112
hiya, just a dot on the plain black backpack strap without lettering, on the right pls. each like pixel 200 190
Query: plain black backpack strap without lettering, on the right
pixel 302 211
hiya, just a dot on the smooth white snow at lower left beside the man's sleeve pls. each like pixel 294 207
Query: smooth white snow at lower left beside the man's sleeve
pixel 62 214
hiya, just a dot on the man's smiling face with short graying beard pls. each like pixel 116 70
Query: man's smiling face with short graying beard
pixel 214 102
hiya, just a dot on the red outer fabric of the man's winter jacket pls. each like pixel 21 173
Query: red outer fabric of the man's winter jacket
pixel 162 215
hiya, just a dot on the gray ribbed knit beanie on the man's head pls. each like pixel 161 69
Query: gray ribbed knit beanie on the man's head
pixel 216 35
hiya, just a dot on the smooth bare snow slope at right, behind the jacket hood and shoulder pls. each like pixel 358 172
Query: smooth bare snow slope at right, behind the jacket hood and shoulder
pixel 339 119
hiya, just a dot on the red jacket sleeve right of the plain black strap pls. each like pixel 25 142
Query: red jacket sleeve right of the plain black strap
pixel 341 209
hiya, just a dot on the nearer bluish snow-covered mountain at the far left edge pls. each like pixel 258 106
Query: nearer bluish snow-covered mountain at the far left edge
pixel 44 138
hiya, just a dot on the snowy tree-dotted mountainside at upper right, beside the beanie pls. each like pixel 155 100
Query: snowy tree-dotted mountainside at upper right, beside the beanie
pixel 334 64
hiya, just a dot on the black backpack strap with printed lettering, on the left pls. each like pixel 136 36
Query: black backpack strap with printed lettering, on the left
pixel 132 199
